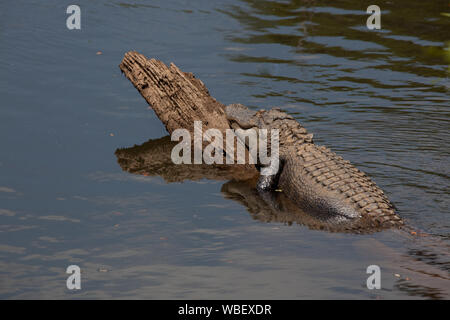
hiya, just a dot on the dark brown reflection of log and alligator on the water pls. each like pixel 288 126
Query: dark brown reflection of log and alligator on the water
pixel 153 159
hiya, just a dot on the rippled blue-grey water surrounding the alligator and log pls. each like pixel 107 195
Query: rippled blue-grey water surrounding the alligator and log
pixel 378 98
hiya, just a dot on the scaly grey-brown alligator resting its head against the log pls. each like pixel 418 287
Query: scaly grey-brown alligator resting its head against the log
pixel 312 176
